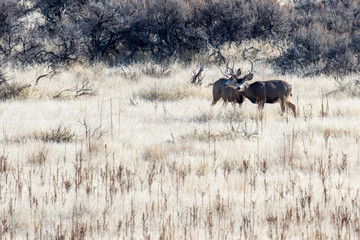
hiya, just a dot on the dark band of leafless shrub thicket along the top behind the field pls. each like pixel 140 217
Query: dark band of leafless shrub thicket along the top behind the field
pixel 316 36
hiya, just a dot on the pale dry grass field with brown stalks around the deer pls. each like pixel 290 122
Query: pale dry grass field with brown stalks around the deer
pixel 138 152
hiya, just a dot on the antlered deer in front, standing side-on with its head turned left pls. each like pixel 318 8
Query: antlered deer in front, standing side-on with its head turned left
pixel 261 92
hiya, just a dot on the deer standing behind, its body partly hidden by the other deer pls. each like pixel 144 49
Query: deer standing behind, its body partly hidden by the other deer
pixel 228 94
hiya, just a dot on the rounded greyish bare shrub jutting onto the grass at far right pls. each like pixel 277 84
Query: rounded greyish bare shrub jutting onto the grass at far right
pixel 319 52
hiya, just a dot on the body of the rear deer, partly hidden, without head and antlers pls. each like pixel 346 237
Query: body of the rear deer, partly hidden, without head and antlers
pixel 226 93
